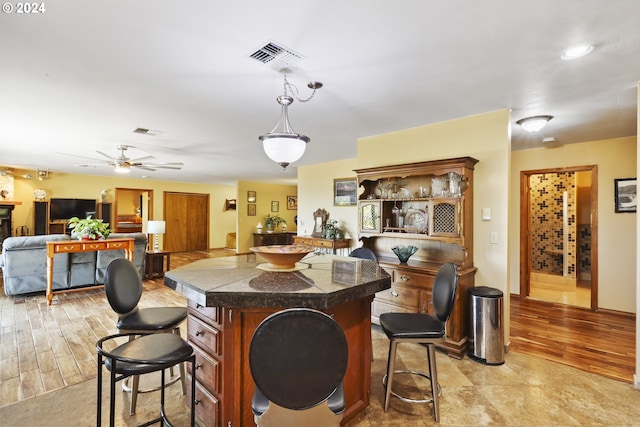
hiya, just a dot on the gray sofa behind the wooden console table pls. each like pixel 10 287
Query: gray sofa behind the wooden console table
pixel 24 263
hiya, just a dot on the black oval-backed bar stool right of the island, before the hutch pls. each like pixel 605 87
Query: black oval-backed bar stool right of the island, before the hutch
pixel 422 329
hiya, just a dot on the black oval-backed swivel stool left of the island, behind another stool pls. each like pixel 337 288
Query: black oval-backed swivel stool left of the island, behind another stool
pixel 123 287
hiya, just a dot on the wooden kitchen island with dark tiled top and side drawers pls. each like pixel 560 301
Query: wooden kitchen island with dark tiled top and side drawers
pixel 229 297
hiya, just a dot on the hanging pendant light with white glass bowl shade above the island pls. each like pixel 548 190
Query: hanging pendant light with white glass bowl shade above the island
pixel 283 145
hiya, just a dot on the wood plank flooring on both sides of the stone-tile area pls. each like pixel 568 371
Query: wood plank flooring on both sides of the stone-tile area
pixel 44 348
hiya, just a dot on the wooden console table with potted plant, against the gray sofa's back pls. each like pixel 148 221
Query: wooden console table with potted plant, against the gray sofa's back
pixel 71 246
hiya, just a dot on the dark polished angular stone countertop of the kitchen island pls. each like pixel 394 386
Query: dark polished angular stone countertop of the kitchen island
pixel 318 281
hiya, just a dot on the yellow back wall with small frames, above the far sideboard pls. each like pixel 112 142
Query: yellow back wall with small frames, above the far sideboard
pixel 265 194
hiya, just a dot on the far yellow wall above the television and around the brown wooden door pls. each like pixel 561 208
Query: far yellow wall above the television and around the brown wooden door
pixel 89 187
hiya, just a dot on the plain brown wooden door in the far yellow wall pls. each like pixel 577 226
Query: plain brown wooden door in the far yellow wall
pixel 187 219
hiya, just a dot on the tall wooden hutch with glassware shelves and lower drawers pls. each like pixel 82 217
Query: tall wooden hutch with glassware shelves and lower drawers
pixel 428 205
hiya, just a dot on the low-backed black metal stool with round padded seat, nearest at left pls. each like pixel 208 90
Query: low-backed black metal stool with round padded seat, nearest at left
pixel 143 355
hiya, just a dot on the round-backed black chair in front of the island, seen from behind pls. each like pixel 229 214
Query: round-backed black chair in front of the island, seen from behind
pixel 298 358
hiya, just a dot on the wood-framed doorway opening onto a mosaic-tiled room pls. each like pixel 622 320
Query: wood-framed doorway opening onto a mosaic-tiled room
pixel 558 235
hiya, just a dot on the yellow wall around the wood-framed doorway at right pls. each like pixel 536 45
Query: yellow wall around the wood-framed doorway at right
pixel 616 158
